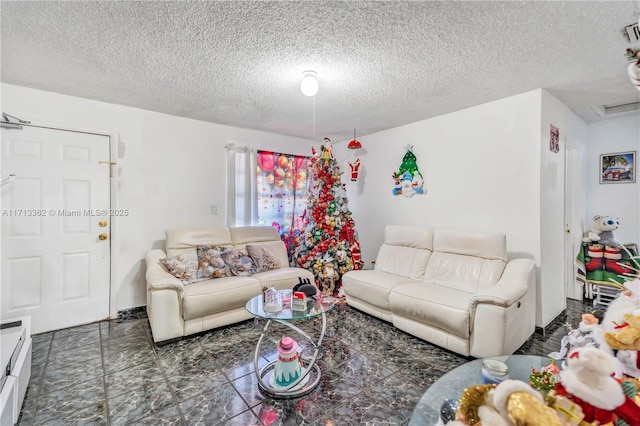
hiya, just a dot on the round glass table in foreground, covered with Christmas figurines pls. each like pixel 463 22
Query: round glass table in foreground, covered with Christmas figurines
pixel 451 385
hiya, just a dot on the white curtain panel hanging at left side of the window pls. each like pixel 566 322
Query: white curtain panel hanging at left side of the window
pixel 241 186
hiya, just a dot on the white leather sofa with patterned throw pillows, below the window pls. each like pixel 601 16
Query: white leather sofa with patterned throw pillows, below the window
pixel 175 309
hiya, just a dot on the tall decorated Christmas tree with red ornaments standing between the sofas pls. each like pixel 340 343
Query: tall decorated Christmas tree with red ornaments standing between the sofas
pixel 330 246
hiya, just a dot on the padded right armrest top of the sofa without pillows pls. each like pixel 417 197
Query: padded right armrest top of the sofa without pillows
pixel 512 286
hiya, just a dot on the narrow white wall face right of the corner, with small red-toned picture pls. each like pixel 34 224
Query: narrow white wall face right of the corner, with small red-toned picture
pixel 553 261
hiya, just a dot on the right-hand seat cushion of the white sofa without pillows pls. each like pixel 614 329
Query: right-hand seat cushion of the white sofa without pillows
pixel 439 306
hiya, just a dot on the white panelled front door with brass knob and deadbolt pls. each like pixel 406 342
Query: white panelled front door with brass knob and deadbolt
pixel 55 263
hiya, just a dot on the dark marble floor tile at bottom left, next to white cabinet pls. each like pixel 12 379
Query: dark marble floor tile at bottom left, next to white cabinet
pixel 80 401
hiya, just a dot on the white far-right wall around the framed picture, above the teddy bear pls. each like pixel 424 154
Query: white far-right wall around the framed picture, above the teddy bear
pixel 620 200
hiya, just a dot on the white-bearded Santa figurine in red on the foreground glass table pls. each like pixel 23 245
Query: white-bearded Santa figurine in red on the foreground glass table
pixel 588 382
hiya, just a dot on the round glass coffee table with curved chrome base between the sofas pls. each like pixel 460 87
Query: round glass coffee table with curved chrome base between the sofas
pixel 310 375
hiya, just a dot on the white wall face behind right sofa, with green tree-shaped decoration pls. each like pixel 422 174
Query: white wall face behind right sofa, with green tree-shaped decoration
pixel 481 167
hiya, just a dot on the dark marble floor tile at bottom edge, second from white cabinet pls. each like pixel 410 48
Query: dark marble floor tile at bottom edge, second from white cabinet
pixel 140 403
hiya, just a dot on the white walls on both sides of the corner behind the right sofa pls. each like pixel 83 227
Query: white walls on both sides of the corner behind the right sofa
pixel 488 167
